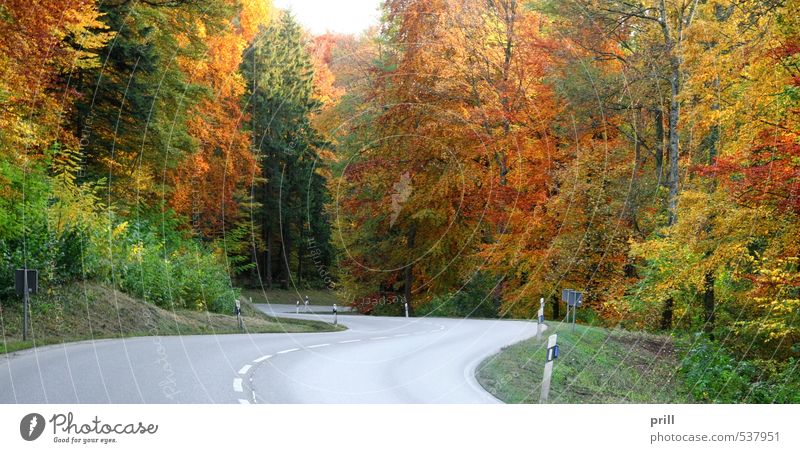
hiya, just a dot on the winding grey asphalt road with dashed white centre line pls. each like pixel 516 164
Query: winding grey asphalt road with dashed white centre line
pixel 377 360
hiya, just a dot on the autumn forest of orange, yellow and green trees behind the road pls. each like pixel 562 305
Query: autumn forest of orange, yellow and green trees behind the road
pixel 468 157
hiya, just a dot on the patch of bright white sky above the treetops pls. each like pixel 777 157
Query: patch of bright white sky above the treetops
pixel 340 16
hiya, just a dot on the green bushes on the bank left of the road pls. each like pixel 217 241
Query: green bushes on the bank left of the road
pixel 64 230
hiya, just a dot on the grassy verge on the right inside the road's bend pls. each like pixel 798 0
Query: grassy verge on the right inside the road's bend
pixel 596 365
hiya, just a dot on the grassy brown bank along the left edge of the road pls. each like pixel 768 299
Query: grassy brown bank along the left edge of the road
pixel 92 311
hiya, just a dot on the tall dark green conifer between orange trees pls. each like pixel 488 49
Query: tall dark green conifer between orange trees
pixel 291 204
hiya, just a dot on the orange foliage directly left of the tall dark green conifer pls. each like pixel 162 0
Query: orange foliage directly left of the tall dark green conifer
pixel 224 165
